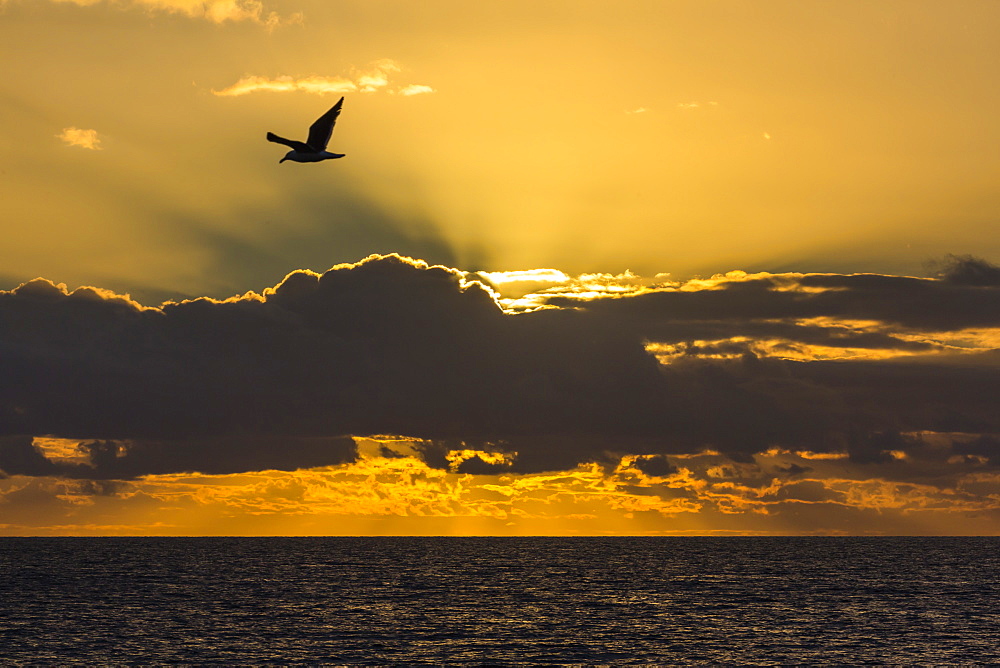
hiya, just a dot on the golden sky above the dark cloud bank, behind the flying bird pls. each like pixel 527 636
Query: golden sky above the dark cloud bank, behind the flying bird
pixel 681 137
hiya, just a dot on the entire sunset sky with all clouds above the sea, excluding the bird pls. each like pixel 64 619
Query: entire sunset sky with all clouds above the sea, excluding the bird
pixel 587 268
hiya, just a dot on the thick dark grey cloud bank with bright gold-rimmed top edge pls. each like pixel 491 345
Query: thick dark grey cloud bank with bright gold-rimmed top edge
pixel 389 346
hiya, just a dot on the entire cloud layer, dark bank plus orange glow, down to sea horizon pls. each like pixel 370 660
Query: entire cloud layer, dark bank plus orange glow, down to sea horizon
pixel 744 402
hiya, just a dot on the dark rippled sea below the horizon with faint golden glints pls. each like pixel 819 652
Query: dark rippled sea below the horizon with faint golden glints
pixel 500 600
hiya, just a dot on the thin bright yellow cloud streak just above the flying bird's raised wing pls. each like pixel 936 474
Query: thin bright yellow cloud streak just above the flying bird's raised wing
pixel 374 79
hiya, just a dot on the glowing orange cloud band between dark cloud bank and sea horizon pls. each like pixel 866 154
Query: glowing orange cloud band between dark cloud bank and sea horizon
pixel 775 492
